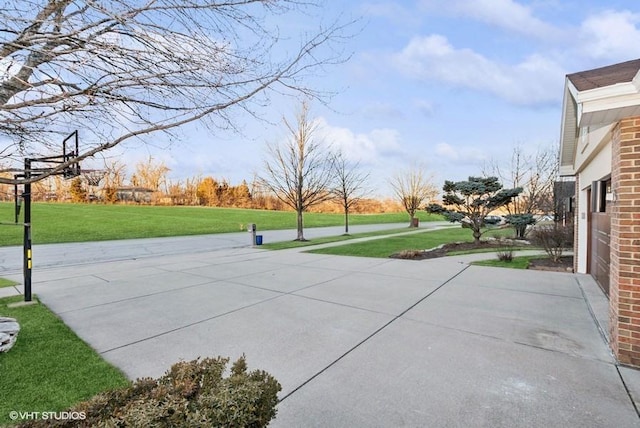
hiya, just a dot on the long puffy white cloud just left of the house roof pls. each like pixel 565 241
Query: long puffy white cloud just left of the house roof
pixel 534 81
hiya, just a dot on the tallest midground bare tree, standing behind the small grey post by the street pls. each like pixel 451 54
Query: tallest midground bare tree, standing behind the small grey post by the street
pixel 299 172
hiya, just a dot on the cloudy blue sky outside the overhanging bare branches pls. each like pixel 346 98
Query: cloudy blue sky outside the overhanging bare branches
pixel 446 84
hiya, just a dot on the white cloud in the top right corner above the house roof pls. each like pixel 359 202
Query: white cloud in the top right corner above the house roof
pixel 611 35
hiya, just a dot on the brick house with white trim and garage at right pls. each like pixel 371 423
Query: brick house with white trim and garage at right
pixel 600 147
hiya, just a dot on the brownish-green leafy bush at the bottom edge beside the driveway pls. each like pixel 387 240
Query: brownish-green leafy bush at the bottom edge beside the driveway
pixel 190 394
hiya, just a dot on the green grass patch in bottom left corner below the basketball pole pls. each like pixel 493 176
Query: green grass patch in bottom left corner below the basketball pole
pixel 49 368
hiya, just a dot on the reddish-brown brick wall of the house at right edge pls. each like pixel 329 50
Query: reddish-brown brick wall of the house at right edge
pixel 624 293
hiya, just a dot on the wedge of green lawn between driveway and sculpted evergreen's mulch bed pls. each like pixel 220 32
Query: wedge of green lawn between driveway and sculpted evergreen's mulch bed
pixel 385 247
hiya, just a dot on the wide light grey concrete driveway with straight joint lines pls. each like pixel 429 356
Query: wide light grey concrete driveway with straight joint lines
pixel 362 342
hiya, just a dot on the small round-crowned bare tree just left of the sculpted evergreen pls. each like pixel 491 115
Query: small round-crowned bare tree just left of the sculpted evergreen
pixel 413 188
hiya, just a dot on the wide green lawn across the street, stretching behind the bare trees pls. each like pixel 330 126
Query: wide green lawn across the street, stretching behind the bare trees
pixel 57 222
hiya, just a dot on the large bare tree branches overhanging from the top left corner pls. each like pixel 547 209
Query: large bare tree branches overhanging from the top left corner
pixel 124 69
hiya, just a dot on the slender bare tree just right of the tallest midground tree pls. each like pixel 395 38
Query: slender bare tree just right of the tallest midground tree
pixel 350 184
